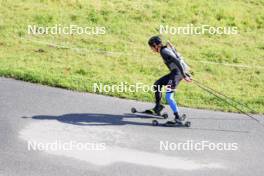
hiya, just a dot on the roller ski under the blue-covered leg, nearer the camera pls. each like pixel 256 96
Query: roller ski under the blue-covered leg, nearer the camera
pixel 177 122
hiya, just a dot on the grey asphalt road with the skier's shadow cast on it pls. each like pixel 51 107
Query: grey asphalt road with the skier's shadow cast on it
pixel 119 143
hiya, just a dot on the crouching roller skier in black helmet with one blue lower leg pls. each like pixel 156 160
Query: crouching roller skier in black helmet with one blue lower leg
pixel 178 71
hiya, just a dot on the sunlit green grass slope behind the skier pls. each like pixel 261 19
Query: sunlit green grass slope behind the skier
pixel 129 24
